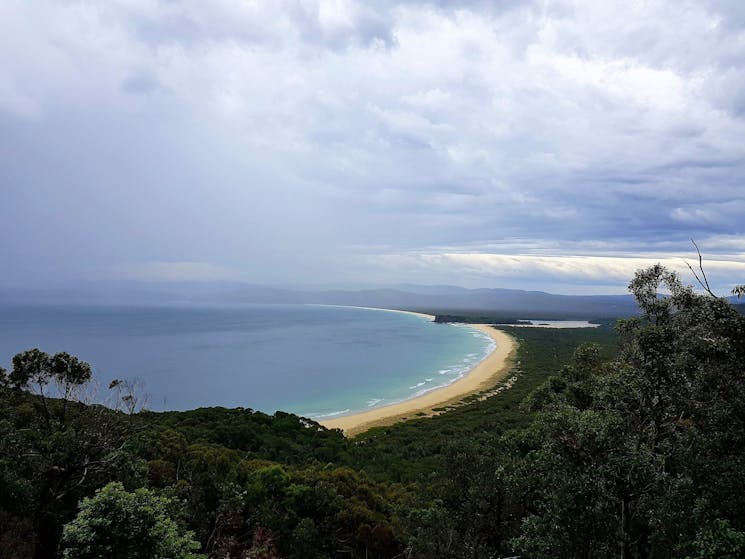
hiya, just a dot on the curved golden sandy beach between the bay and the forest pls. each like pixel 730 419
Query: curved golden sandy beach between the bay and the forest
pixel 493 368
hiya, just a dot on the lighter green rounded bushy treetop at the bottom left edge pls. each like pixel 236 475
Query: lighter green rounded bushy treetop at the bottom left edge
pixel 117 524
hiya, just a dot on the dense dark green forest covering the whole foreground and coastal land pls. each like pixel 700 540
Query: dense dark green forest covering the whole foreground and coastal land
pixel 623 441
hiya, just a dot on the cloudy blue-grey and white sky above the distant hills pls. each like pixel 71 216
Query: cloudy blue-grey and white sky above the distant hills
pixel 553 145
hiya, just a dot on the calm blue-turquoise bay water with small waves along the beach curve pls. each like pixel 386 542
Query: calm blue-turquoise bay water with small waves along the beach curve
pixel 311 360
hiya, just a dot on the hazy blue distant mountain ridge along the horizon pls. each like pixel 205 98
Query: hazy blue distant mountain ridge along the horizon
pixel 434 299
